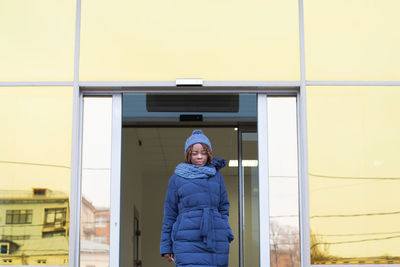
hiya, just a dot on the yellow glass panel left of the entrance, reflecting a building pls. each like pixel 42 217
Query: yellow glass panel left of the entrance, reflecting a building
pixel 35 152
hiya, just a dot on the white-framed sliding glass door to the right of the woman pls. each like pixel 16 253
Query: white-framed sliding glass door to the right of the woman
pixel 279 181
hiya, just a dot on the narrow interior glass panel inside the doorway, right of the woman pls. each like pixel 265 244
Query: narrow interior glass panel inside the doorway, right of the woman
pixel 251 238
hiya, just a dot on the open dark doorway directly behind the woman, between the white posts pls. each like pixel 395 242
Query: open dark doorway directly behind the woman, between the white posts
pixel 152 145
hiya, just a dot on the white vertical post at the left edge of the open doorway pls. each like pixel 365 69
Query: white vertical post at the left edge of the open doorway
pixel 116 135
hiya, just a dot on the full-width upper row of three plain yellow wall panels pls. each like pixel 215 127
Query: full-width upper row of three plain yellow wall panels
pixel 236 40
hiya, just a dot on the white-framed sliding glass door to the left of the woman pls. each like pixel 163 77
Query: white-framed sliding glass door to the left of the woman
pixel 100 180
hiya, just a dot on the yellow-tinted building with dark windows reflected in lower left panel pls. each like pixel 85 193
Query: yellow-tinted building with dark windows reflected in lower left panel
pixel 34 227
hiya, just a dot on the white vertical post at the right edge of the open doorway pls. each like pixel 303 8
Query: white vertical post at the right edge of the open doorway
pixel 262 128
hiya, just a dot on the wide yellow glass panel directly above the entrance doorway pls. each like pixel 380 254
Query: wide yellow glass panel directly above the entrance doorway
pixel 139 43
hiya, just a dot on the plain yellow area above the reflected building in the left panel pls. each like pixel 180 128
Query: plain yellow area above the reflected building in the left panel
pixel 36 128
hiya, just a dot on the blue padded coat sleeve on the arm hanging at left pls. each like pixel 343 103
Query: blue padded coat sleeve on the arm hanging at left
pixel 170 214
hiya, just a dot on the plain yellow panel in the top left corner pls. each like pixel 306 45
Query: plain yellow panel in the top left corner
pixel 40 38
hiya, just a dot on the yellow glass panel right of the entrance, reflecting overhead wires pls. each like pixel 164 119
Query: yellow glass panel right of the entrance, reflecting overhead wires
pixel 354 174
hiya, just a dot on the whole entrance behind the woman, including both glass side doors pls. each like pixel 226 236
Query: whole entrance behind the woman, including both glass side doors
pixel 145 140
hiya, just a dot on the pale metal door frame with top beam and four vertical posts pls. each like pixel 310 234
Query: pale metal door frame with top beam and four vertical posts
pixel 262 125
